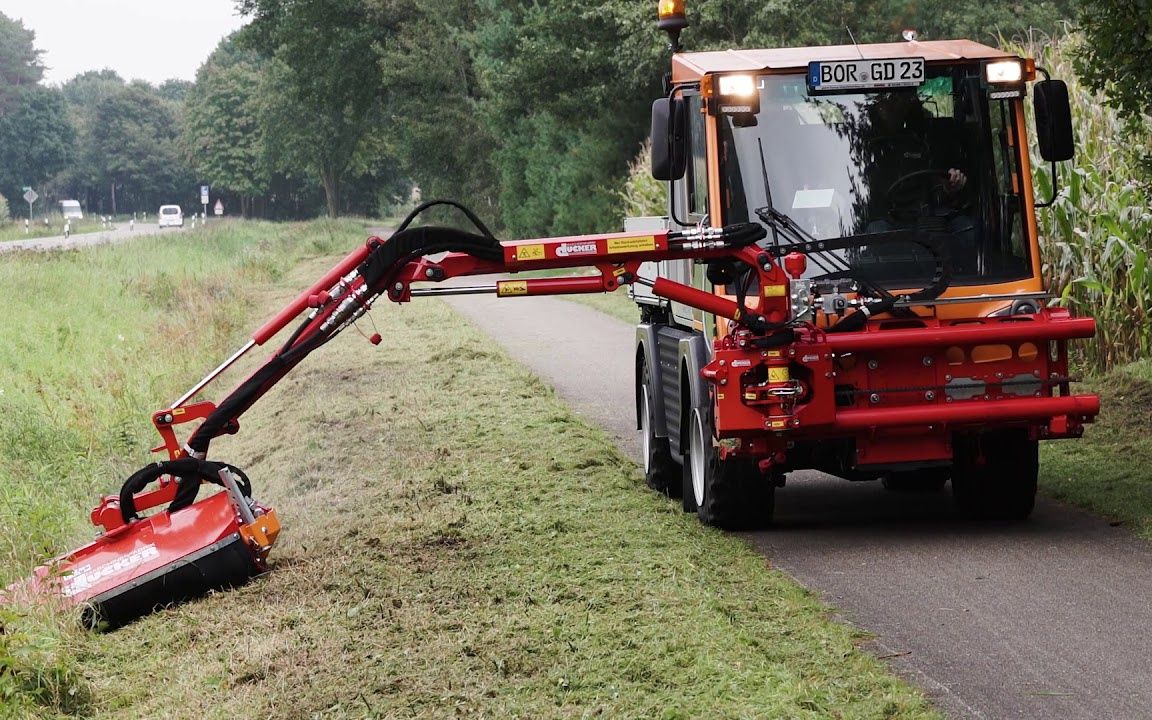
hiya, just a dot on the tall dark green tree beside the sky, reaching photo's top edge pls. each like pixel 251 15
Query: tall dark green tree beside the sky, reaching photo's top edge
pixel 328 92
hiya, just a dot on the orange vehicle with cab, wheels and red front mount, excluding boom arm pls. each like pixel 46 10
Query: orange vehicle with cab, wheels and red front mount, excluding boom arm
pixel 915 343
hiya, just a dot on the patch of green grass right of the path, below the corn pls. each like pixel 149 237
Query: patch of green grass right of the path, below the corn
pixel 1108 472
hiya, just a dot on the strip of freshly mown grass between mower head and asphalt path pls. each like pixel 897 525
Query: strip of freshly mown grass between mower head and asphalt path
pixel 458 543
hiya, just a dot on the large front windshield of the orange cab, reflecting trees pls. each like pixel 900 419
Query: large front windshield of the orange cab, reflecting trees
pixel 939 161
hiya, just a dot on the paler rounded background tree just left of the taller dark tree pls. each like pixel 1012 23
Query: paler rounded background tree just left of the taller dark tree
pixel 223 131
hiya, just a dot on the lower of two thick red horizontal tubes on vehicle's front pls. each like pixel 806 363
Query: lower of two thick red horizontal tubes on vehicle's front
pixel 969 412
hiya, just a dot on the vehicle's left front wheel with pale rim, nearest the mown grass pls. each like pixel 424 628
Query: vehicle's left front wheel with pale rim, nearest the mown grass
pixel 731 495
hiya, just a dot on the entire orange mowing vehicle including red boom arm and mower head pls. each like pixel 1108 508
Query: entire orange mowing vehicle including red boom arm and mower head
pixel 847 279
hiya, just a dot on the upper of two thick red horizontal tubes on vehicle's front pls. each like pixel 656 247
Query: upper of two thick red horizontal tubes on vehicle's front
pixel 1036 331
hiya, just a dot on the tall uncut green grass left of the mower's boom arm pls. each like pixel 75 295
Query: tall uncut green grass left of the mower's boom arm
pixel 94 343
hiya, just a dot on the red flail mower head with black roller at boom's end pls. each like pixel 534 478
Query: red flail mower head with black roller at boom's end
pixel 183 552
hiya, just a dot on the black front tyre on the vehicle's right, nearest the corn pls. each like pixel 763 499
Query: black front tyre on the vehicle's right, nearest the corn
pixel 995 475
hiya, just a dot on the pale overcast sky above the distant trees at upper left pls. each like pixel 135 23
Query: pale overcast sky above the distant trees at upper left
pixel 147 40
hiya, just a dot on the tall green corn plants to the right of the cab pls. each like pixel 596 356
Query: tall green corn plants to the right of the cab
pixel 1095 239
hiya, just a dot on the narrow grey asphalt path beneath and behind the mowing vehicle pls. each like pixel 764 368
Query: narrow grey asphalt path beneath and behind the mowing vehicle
pixel 1050 619
